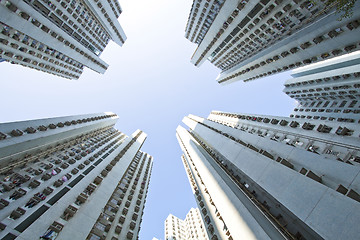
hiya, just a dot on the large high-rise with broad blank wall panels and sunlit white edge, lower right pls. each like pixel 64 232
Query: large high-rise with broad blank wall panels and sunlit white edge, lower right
pixel 266 177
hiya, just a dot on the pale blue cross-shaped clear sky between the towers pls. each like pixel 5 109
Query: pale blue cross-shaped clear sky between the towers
pixel 151 85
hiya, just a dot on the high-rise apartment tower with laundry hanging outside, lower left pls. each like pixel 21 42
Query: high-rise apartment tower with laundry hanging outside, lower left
pixel 74 177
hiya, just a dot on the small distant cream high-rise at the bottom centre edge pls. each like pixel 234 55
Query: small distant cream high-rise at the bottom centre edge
pixel 191 228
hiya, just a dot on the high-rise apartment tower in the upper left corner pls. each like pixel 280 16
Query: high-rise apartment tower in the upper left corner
pixel 59 36
